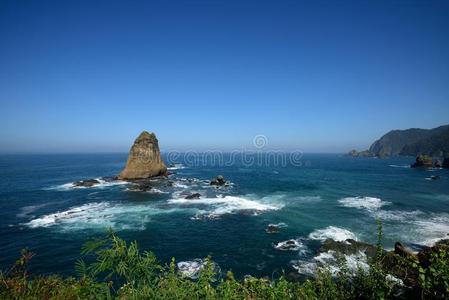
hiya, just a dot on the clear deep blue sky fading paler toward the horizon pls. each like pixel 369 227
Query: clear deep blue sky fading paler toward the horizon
pixel 319 76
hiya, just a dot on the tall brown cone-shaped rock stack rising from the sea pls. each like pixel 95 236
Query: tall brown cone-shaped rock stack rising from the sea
pixel 144 159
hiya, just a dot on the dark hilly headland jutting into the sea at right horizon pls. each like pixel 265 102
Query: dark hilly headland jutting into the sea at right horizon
pixel 433 142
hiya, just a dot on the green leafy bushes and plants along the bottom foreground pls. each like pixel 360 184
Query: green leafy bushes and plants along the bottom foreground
pixel 119 270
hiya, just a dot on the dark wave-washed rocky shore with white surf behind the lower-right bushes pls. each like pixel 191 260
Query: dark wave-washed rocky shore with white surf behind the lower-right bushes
pixel 402 265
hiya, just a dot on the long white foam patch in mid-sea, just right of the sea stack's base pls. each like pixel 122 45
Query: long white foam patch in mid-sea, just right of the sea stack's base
pixel 227 205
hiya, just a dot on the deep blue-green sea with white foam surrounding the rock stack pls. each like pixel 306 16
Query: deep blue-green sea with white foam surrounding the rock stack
pixel 324 196
